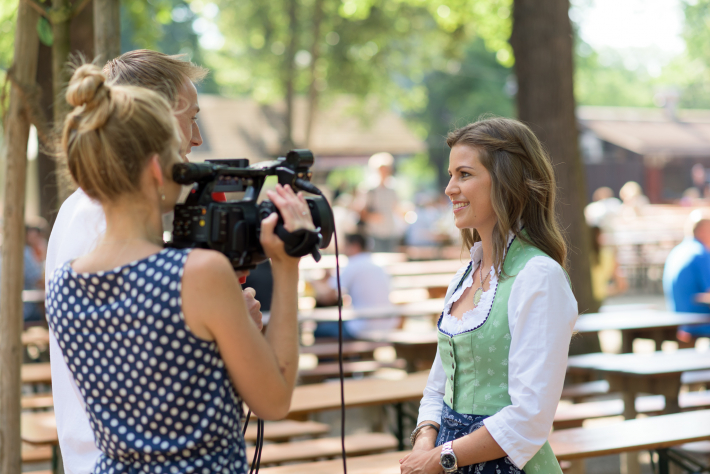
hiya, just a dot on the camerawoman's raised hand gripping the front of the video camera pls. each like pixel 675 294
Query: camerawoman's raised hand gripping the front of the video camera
pixel 296 215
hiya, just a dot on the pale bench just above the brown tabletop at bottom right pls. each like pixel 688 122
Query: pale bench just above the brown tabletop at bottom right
pixel 574 415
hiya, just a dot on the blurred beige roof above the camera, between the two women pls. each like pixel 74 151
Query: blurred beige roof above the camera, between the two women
pixel 243 128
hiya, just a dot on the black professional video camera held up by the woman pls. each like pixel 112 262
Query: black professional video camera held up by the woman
pixel 233 227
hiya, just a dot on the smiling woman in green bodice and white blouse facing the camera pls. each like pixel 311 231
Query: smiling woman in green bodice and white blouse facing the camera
pixel 508 316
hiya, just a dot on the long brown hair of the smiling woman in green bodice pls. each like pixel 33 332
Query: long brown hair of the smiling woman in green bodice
pixel 522 186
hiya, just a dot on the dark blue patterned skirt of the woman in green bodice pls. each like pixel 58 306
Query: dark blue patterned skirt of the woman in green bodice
pixel 454 425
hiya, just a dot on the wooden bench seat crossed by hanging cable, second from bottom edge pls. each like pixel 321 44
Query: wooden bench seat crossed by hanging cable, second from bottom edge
pixel 355 445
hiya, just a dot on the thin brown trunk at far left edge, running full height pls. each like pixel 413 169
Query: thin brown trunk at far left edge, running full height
pixel 17 129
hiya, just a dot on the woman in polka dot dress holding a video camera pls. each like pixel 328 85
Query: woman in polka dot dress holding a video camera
pixel 159 341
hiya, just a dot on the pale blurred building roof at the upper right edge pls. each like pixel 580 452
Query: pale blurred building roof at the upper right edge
pixel 648 131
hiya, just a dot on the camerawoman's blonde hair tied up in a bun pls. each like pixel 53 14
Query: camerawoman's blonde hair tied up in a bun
pixel 113 131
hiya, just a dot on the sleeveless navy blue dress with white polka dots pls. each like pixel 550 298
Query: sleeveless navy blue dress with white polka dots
pixel 159 399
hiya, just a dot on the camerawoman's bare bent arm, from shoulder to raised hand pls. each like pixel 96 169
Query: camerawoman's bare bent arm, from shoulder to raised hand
pixel 262 368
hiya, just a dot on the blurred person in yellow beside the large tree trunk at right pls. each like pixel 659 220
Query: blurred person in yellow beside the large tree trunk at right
pixel 607 277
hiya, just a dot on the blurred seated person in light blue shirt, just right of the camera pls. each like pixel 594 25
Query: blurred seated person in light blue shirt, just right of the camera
pixel 368 286
